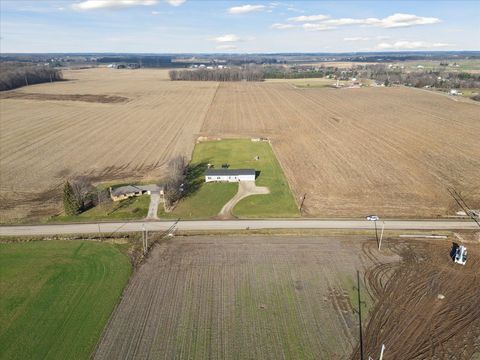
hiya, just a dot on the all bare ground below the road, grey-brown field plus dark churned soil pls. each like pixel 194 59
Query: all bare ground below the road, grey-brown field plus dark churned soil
pixel 284 298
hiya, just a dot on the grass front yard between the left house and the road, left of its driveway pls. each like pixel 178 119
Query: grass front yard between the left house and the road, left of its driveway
pixel 128 209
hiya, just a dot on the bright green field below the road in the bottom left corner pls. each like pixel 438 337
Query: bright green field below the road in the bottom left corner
pixel 56 297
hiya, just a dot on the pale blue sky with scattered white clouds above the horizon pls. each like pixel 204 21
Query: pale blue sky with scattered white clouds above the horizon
pixel 196 26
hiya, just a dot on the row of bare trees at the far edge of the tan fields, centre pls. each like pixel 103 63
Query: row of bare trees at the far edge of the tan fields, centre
pixel 229 74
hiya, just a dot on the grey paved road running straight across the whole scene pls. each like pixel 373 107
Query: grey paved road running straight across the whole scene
pixel 108 228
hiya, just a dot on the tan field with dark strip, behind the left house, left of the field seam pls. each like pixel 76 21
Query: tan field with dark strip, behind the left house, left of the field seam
pixel 46 138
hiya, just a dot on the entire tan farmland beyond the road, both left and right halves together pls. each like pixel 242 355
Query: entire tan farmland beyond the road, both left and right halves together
pixel 349 152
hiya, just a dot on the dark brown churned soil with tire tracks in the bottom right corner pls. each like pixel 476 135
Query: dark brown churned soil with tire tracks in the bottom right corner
pixel 410 318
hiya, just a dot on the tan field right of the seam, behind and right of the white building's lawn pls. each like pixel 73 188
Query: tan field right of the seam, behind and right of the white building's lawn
pixel 392 151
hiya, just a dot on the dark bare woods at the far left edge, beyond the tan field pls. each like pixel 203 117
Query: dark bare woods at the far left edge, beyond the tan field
pixel 14 76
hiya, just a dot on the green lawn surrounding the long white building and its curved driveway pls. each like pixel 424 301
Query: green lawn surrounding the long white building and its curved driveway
pixel 208 200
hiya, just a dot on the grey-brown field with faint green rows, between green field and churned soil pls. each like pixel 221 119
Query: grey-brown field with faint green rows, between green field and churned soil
pixel 241 298
